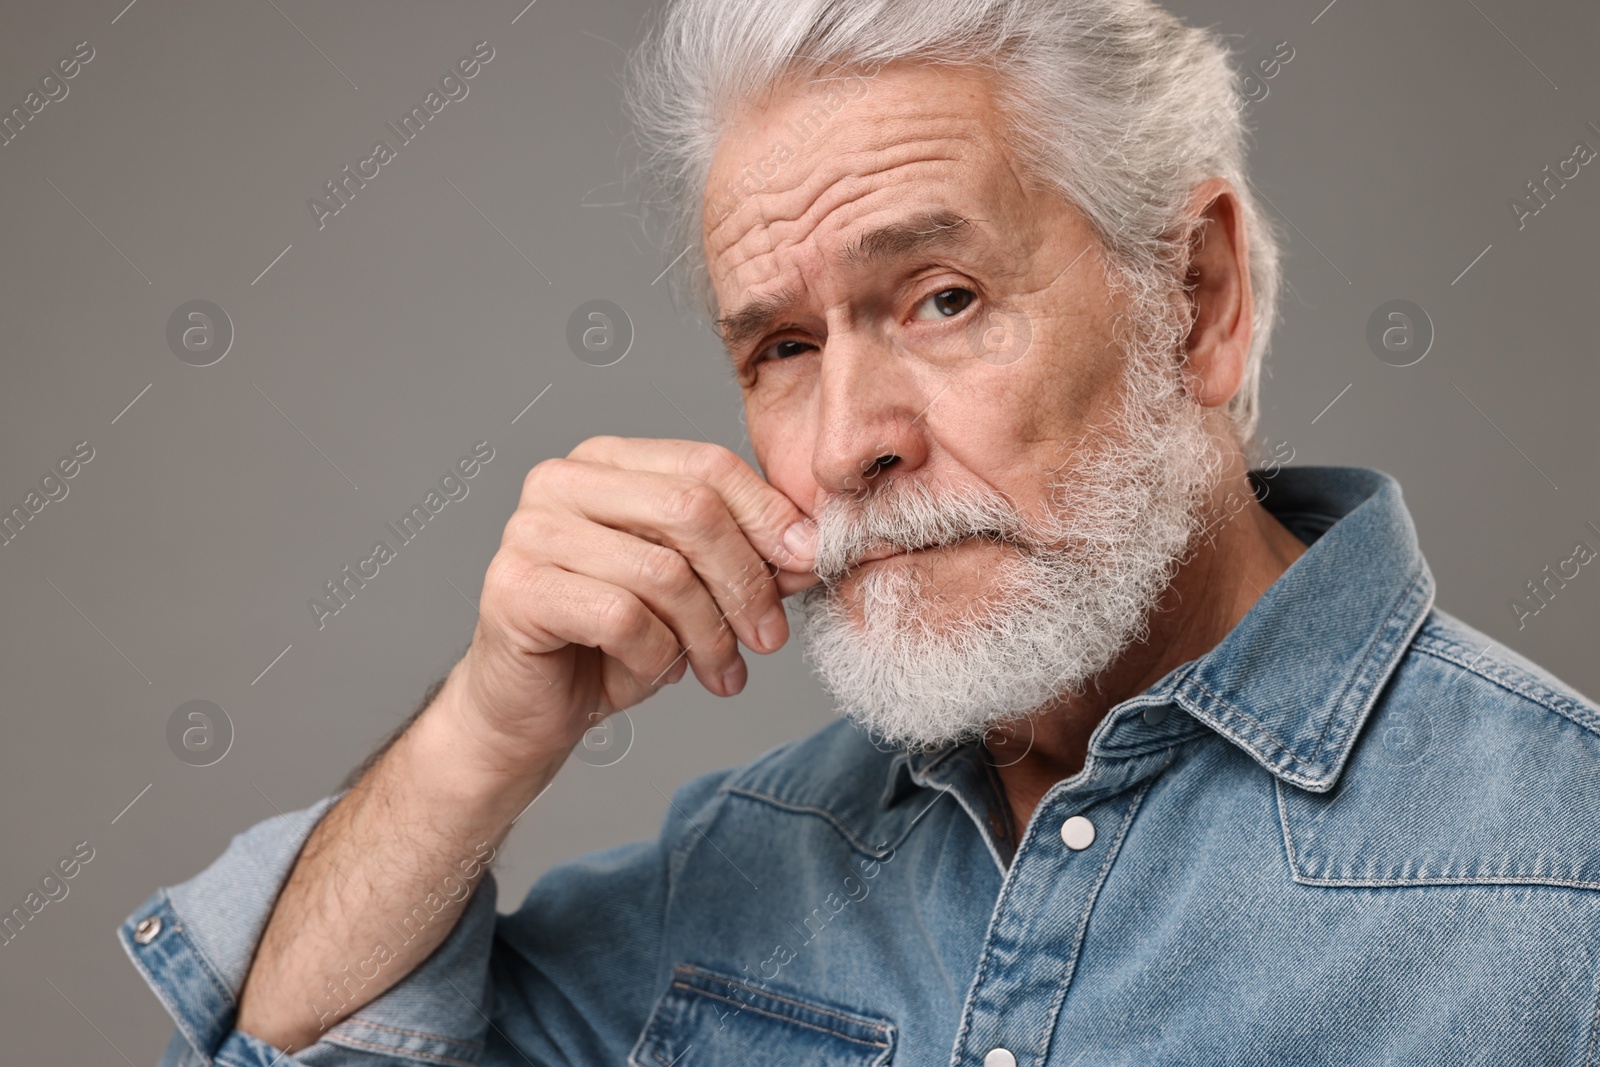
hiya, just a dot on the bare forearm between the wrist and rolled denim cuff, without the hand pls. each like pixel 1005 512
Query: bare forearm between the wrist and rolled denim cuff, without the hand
pixel 401 852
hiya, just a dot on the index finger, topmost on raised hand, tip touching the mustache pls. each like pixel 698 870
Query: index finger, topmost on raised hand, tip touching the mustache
pixel 761 511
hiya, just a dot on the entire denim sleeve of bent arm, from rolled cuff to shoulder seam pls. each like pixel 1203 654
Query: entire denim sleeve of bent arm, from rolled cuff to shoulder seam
pixel 566 980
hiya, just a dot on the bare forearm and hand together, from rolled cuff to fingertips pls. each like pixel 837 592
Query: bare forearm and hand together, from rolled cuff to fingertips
pixel 623 567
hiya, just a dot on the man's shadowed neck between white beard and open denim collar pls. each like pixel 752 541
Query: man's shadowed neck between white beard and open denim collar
pixel 1212 593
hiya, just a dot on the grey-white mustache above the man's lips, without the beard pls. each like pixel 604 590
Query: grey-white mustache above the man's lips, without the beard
pixel 905 516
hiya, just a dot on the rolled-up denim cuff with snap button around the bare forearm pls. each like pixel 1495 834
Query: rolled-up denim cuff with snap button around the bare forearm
pixel 194 945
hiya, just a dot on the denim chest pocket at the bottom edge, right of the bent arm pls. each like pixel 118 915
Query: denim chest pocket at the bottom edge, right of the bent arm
pixel 710 1020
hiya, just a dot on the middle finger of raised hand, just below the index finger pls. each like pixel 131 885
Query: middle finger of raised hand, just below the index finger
pixel 681 514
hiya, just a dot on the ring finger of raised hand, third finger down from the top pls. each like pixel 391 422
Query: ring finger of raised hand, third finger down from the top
pixel 660 577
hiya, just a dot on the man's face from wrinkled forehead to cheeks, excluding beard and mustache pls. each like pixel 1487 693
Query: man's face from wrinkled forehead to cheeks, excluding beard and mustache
pixel 975 354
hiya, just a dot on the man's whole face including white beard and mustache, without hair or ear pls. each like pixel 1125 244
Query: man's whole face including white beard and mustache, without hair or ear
pixel 892 287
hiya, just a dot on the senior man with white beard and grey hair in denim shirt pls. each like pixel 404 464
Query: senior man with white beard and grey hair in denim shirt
pixel 1150 757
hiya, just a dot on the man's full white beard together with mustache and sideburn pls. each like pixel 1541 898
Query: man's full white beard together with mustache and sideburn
pixel 1073 594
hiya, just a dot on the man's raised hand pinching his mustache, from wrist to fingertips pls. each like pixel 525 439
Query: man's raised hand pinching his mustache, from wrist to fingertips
pixel 625 564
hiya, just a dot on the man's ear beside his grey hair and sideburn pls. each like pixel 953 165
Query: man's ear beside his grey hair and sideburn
pixel 1220 297
